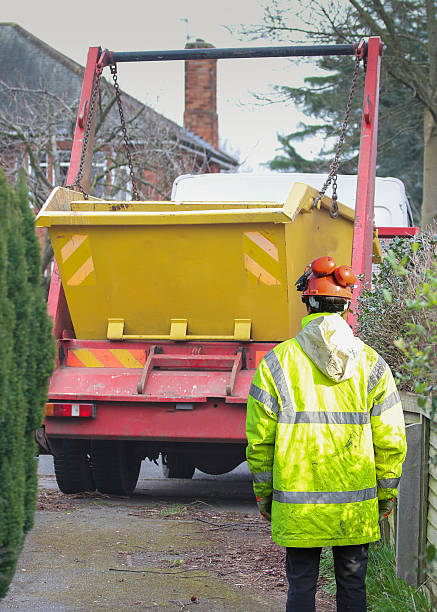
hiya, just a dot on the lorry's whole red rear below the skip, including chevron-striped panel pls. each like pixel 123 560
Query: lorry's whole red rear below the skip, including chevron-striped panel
pixel 189 392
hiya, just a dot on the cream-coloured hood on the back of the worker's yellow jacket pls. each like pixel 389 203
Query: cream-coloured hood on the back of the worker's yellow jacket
pixel 329 342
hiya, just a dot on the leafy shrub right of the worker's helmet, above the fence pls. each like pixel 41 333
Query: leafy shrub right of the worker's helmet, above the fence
pixel 398 315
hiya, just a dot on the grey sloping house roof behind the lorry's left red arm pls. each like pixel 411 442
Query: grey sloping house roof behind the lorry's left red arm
pixel 29 62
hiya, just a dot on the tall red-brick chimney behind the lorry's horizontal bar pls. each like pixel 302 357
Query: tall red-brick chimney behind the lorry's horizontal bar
pixel 200 116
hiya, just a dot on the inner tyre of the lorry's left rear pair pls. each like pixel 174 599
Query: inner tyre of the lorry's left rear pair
pixel 115 467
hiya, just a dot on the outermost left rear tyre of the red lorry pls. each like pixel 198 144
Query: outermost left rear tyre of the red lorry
pixel 72 468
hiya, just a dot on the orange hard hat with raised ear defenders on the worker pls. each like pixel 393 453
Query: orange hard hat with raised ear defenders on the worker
pixel 324 278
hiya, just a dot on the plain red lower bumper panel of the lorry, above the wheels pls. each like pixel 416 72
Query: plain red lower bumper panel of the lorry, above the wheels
pixel 212 421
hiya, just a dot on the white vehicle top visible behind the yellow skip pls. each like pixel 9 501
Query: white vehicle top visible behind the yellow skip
pixel 392 208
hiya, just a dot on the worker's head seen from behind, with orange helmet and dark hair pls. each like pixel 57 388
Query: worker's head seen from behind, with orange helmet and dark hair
pixel 326 287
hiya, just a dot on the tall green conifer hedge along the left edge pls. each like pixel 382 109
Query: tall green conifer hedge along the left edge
pixel 26 363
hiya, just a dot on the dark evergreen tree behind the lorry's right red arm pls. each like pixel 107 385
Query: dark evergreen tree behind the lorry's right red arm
pixel 400 134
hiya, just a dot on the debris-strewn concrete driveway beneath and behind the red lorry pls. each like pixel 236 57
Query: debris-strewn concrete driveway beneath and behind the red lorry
pixel 107 553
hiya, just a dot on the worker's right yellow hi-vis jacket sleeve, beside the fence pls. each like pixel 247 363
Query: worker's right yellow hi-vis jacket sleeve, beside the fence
pixel 388 429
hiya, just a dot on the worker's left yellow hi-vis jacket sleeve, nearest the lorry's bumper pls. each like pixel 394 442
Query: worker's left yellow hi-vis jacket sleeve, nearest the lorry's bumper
pixel 261 420
